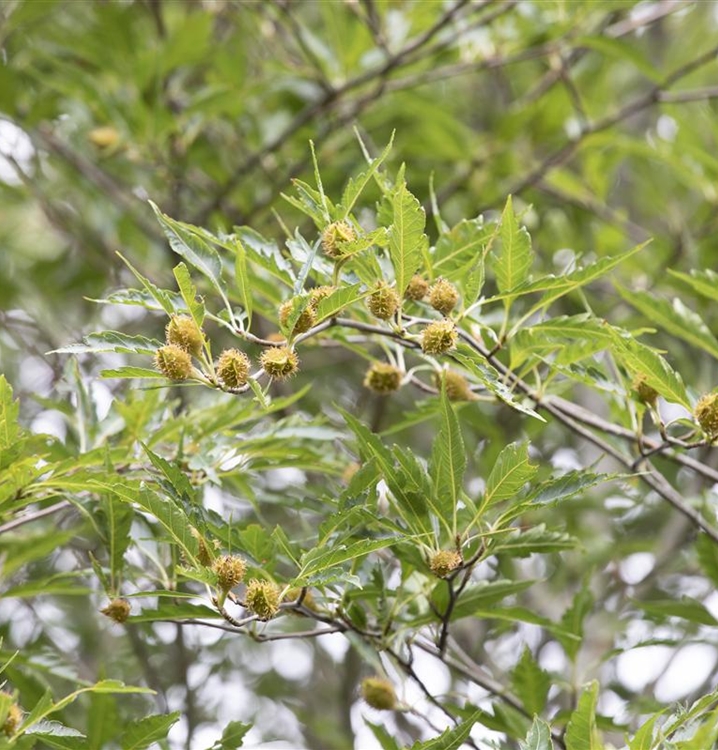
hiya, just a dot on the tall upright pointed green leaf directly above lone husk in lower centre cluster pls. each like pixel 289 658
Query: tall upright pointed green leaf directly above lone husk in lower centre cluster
pixel 448 462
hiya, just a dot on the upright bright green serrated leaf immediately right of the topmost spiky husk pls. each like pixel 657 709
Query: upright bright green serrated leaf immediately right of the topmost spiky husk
pixel 406 236
